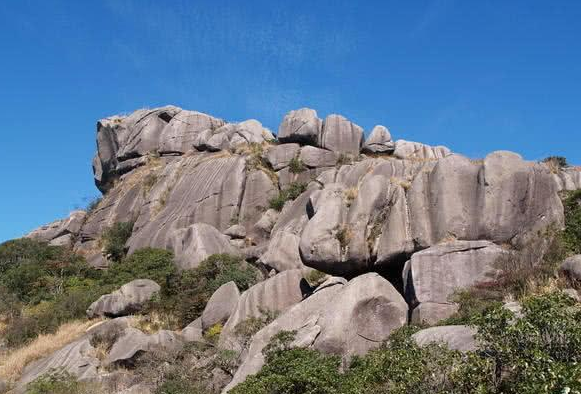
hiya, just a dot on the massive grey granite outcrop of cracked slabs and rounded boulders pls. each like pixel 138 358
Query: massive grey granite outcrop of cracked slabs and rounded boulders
pixel 429 221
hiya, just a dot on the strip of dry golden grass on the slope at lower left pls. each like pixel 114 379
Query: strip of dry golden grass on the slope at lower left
pixel 12 365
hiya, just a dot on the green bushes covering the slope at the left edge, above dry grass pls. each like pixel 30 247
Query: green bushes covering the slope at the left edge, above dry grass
pixel 43 286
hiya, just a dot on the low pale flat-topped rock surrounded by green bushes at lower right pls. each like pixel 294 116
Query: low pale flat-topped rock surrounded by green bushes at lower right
pixel 461 338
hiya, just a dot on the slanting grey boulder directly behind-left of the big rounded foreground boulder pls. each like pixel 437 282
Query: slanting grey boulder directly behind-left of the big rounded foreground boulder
pixel 273 295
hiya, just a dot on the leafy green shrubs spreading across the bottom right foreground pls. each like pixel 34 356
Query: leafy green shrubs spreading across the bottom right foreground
pixel 537 353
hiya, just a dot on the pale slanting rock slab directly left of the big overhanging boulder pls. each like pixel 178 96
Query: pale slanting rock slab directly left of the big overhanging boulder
pixel 283 249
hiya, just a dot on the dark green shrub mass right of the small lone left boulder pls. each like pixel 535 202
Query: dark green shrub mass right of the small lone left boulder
pixel 184 294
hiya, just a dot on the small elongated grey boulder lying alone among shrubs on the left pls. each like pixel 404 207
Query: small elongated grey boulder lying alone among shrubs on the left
pixel 130 298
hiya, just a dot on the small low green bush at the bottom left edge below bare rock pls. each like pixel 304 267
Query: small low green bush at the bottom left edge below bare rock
pixel 60 382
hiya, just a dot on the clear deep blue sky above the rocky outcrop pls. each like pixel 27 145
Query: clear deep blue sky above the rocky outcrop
pixel 476 76
